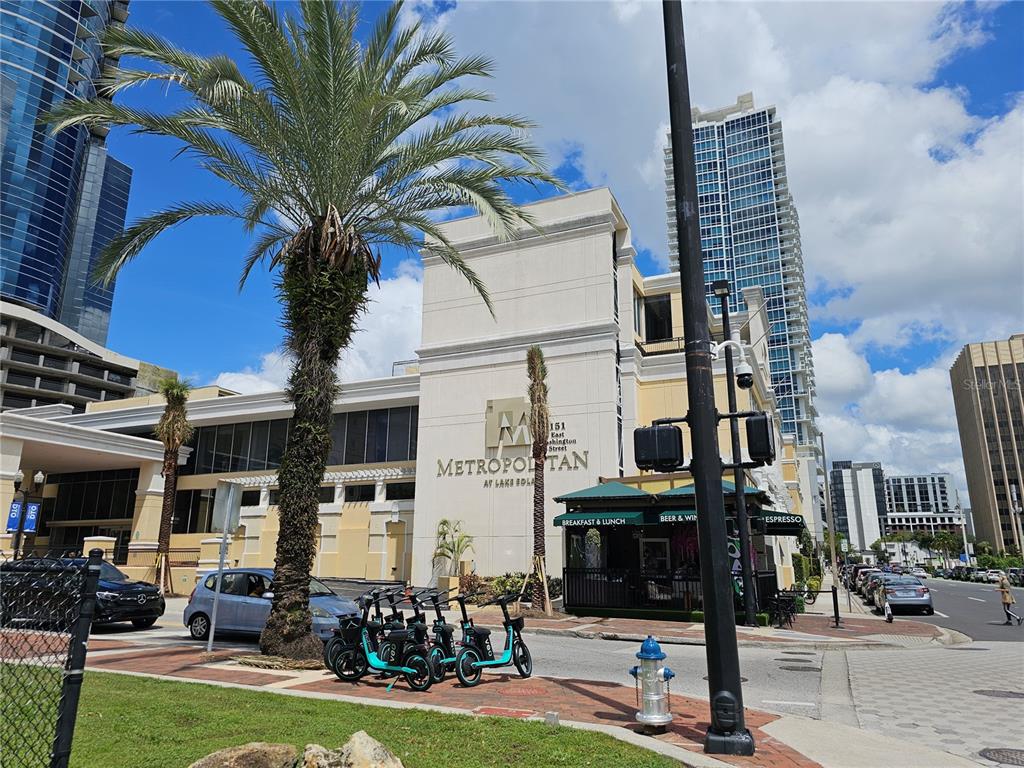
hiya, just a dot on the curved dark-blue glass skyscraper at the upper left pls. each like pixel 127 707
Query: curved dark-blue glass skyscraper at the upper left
pixel 64 198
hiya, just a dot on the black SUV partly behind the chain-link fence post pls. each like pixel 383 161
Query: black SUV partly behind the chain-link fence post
pixel 34 591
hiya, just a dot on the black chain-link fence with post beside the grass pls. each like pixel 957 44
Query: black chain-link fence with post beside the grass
pixel 47 610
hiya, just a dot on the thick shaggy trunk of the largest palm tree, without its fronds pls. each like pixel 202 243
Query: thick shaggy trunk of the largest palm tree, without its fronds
pixel 322 304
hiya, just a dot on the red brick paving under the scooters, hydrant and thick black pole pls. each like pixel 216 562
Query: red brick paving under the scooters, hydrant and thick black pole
pixel 504 696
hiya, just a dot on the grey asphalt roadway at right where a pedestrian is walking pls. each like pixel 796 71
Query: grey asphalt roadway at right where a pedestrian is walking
pixel 973 609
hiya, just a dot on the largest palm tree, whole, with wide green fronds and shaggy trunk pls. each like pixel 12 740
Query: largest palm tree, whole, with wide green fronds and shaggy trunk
pixel 335 149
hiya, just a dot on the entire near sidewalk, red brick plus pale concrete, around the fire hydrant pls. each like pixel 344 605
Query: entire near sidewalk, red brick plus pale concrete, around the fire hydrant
pixel 782 742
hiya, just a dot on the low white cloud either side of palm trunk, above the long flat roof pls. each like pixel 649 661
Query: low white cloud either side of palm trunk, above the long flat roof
pixel 389 332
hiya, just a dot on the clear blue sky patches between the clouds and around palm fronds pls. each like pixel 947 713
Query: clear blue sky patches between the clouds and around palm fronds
pixel 179 305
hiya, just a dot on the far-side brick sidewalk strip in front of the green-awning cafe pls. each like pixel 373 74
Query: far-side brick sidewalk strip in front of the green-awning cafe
pixel 807 628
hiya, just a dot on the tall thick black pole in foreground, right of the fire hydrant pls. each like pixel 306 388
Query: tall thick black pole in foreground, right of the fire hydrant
pixel 728 735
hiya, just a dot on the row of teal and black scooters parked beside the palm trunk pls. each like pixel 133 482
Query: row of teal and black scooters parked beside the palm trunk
pixel 396 647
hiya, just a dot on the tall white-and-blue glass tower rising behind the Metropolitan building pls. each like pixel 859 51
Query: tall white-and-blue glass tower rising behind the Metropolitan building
pixel 750 235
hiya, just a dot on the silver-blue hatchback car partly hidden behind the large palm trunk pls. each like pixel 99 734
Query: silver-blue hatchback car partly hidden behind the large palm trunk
pixel 245 605
